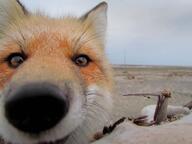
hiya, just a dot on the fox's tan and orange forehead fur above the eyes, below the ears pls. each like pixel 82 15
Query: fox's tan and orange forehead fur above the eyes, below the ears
pixel 69 35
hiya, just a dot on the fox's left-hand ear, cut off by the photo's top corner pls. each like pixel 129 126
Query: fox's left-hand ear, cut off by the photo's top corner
pixel 10 12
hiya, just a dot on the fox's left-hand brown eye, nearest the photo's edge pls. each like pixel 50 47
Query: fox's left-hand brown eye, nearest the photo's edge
pixel 15 59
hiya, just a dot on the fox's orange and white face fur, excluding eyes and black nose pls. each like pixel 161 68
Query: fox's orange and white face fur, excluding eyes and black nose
pixel 50 46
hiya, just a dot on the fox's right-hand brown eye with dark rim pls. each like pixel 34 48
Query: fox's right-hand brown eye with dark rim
pixel 81 60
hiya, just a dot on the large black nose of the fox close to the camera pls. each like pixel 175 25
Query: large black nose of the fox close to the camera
pixel 37 107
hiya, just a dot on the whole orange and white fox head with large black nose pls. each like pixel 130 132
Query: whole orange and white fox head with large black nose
pixel 55 82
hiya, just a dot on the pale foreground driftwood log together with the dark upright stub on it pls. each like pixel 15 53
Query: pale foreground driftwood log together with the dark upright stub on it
pixel 179 131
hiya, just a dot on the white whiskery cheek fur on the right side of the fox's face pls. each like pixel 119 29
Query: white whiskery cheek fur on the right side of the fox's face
pixel 96 117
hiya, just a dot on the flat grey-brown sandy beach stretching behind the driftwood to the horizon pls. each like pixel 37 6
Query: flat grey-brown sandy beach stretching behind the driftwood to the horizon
pixel 152 79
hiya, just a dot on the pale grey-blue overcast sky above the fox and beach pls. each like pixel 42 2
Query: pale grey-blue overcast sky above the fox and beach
pixel 144 32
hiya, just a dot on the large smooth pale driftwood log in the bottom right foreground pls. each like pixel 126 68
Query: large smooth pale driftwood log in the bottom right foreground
pixel 173 133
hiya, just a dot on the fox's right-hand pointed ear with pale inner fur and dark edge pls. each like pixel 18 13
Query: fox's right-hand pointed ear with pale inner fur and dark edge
pixel 97 17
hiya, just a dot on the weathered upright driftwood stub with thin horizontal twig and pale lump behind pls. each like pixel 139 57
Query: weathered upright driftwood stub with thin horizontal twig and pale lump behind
pixel 163 111
